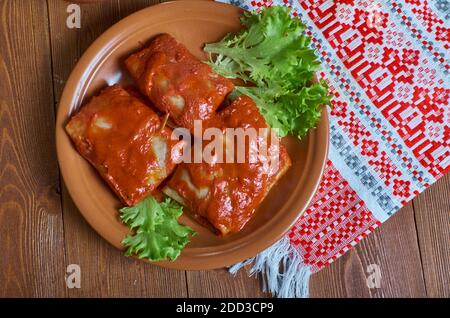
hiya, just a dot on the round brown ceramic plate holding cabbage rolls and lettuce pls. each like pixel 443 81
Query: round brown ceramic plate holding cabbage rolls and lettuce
pixel 192 23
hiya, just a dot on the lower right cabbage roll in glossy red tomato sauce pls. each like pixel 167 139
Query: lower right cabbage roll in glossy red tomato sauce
pixel 226 195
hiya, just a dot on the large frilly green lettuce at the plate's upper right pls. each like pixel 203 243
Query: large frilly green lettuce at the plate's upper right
pixel 272 54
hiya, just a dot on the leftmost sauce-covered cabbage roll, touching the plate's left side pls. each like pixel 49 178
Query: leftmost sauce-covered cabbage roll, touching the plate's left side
pixel 124 140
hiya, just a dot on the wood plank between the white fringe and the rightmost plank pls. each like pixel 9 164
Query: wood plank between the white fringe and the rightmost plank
pixel 394 247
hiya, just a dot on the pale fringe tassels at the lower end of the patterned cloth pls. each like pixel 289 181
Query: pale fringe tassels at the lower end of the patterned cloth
pixel 282 268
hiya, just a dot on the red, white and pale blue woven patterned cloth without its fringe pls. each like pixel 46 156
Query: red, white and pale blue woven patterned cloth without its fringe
pixel 387 63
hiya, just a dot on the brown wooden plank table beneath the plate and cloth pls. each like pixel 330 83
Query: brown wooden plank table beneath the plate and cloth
pixel 41 231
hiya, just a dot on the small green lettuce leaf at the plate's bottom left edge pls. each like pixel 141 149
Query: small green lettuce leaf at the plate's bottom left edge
pixel 157 234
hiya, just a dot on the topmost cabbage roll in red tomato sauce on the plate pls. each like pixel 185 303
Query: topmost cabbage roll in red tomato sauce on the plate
pixel 177 82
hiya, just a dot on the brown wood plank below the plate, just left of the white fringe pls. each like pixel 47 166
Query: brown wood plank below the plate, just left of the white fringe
pixel 220 283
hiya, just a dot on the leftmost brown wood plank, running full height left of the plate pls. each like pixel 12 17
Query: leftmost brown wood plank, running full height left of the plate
pixel 31 225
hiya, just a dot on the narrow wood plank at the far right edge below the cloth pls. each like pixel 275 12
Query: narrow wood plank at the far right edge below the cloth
pixel 432 211
